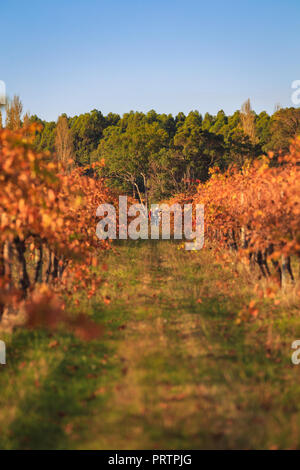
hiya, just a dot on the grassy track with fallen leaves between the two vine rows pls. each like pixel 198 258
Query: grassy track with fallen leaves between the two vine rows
pixel 174 369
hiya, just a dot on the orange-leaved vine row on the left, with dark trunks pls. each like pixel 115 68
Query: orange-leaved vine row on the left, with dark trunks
pixel 48 222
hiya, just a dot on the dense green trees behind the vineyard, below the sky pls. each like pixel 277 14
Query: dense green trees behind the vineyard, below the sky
pixel 153 155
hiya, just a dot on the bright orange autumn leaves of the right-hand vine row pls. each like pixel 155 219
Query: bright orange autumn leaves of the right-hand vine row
pixel 257 207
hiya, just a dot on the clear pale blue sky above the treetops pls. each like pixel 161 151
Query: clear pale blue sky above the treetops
pixel 116 55
